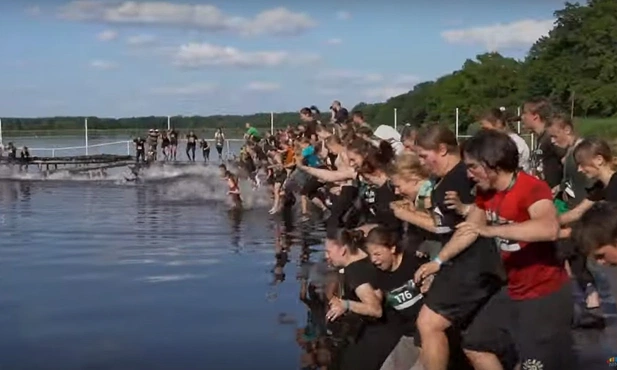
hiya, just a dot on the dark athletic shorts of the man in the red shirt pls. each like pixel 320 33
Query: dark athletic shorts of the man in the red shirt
pixel 541 331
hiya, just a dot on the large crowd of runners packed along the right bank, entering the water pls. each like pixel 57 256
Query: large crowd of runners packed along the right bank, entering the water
pixel 452 255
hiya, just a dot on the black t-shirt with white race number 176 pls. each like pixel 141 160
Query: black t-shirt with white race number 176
pixel 403 299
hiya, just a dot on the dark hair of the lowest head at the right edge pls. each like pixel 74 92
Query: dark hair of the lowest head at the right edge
pixel 596 228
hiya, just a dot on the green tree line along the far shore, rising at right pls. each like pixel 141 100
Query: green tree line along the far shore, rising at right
pixel 575 66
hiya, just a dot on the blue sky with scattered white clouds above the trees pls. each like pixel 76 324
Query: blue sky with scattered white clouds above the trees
pixel 141 58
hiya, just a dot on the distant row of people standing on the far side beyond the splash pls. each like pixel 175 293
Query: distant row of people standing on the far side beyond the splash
pixel 146 148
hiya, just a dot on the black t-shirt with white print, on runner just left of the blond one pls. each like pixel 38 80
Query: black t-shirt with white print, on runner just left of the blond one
pixel 377 202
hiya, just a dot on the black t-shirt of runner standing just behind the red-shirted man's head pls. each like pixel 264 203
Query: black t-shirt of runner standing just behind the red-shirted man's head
pixel 546 161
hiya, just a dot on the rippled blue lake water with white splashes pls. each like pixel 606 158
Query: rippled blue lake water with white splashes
pixel 160 275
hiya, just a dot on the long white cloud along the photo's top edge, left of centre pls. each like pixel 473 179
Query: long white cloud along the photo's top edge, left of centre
pixel 277 21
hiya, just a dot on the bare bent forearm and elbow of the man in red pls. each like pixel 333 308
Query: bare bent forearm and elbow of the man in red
pixel 543 225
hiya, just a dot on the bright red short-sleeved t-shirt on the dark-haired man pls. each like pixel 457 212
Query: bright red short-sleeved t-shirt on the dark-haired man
pixel 533 268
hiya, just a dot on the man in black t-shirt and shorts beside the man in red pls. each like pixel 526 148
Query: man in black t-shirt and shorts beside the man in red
pixel 466 294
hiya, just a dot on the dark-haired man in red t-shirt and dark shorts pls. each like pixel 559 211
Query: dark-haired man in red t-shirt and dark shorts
pixel 516 209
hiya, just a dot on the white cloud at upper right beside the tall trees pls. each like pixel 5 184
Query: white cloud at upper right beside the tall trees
pixel 499 36
